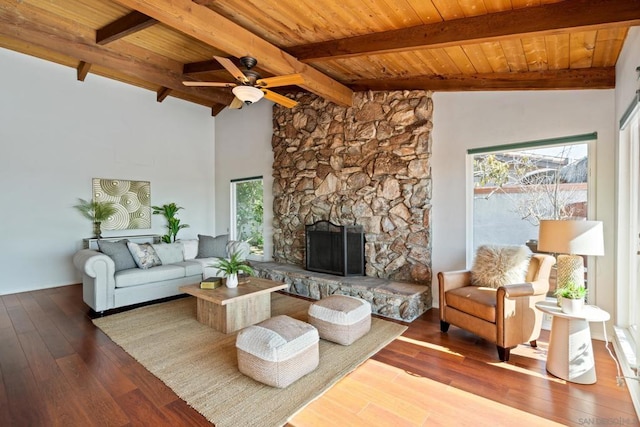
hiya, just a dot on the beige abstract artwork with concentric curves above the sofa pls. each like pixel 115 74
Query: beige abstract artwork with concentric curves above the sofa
pixel 132 200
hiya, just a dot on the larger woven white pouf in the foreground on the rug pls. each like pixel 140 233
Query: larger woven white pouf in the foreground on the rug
pixel 278 351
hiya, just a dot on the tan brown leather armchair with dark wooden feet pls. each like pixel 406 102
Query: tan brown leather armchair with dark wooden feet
pixel 506 315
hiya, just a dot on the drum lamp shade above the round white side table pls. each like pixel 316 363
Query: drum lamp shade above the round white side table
pixel 574 237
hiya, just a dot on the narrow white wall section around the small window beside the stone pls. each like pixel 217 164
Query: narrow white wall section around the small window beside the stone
pixel 243 150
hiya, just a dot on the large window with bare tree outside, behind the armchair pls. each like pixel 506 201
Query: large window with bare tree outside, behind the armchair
pixel 515 186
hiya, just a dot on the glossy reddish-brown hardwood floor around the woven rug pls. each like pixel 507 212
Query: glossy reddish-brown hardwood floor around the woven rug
pixel 56 368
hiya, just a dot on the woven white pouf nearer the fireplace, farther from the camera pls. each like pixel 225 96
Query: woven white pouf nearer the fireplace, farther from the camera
pixel 341 318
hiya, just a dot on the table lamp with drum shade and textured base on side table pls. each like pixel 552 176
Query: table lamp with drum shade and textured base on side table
pixel 570 239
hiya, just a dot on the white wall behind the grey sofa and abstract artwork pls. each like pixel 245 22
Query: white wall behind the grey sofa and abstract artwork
pixel 56 134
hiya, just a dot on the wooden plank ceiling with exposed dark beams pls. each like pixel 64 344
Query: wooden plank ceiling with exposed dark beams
pixel 337 46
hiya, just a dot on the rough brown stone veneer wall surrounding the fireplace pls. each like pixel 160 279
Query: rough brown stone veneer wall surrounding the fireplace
pixel 367 165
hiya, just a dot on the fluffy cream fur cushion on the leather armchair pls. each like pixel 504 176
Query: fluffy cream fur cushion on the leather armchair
pixel 499 265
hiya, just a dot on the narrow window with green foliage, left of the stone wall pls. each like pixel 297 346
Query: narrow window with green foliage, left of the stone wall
pixel 247 214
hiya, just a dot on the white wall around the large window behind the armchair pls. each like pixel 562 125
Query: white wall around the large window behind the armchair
pixel 480 119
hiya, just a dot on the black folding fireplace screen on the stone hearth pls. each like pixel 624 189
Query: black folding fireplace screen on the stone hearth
pixel 335 249
